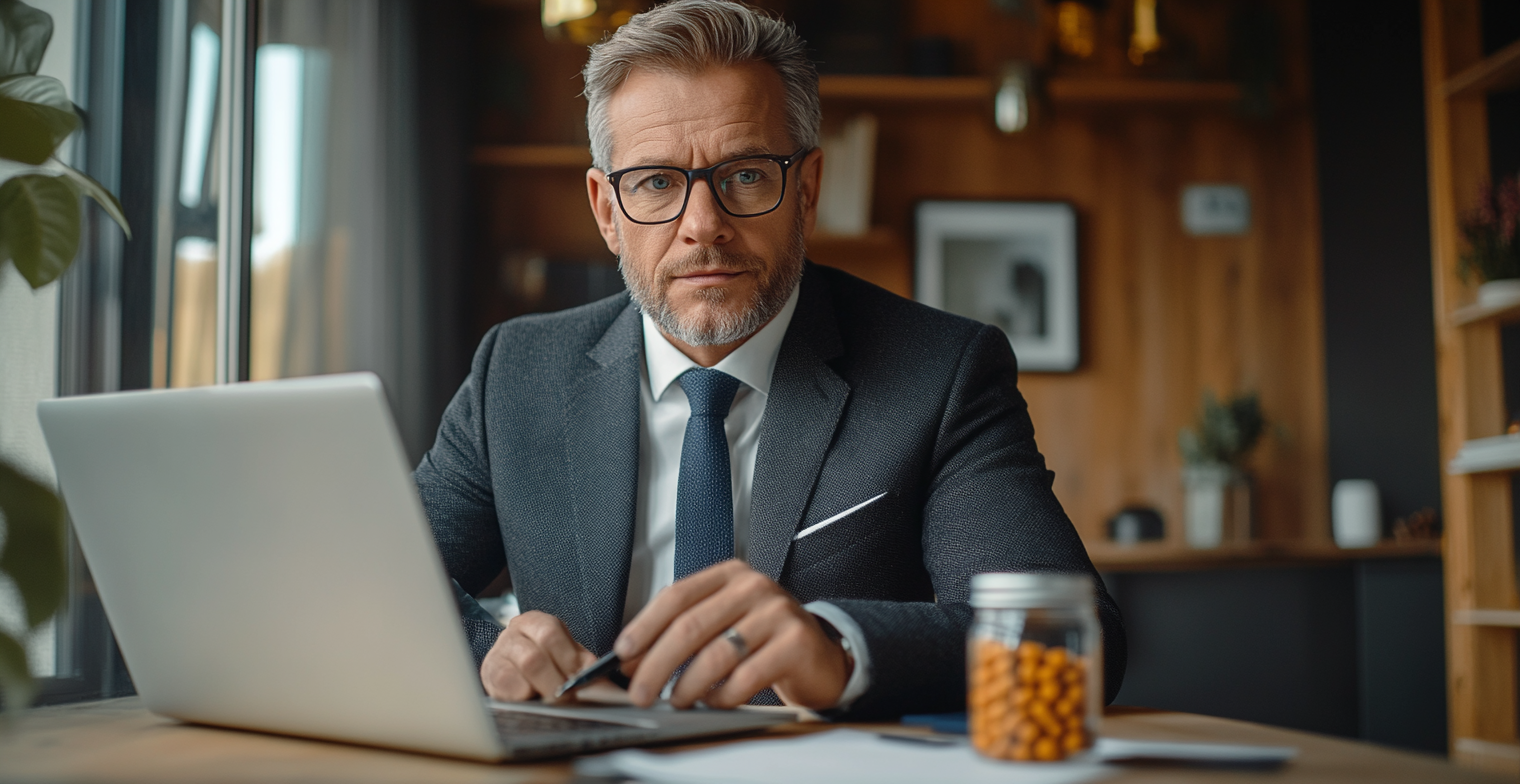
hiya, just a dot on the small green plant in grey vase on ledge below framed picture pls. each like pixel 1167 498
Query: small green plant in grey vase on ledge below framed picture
pixel 1217 487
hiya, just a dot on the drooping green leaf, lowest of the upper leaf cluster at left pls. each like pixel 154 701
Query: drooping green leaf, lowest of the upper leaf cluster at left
pixel 39 226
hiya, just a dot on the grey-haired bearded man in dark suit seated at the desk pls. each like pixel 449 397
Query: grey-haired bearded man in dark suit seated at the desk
pixel 765 470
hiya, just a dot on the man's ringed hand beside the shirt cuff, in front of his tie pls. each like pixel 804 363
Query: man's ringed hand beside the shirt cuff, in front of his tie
pixel 787 646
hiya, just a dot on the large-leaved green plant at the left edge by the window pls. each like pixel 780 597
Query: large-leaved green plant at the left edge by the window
pixel 40 235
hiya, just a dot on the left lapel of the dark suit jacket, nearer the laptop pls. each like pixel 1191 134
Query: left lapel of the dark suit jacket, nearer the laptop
pixel 603 458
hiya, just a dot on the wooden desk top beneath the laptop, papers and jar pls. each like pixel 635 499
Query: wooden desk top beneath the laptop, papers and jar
pixel 118 741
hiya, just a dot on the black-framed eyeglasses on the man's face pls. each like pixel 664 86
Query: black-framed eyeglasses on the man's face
pixel 744 188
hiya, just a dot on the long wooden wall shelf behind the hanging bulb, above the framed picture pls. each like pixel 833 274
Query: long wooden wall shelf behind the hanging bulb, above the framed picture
pixel 977 90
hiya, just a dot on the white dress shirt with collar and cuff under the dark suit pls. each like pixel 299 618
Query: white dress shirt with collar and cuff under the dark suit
pixel 663 416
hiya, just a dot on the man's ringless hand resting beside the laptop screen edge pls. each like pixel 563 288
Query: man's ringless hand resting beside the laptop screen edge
pixel 533 657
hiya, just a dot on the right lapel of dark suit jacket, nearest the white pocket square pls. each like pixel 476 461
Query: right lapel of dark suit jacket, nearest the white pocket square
pixel 802 414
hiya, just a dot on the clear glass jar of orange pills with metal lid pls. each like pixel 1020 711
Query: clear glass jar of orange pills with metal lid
pixel 1034 666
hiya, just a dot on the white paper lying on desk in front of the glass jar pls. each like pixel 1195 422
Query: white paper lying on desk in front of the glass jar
pixel 840 757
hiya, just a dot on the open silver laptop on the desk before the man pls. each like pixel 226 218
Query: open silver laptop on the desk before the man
pixel 265 563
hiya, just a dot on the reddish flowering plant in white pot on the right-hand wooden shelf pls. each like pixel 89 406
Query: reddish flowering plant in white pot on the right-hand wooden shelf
pixel 1493 254
